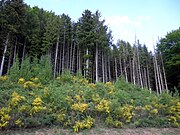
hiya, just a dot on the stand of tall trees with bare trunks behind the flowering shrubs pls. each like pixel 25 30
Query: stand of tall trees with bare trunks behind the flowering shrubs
pixel 86 47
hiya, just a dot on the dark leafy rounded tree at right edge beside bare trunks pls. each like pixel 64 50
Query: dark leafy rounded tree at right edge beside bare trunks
pixel 170 48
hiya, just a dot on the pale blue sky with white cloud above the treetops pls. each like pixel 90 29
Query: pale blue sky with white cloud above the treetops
pixel 147 19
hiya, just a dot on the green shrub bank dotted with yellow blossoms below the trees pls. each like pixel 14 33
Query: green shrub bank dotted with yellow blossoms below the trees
pixel 72 102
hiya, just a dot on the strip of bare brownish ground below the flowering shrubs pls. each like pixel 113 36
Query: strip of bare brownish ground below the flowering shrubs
pixel 95 131
